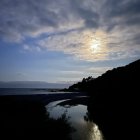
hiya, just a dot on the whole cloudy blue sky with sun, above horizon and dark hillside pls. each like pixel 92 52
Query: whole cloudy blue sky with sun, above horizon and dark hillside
pixel 62 41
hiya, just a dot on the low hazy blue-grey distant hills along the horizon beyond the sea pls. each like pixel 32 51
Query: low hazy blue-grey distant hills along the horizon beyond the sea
pixel 32 84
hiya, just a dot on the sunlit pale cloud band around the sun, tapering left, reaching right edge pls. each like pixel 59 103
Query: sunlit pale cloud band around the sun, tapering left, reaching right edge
pixel 79 43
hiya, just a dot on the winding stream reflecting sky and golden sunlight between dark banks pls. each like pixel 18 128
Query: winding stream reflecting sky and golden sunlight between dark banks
pixel 79 119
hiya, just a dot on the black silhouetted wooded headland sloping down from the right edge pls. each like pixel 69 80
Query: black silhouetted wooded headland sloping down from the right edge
pixel 114 101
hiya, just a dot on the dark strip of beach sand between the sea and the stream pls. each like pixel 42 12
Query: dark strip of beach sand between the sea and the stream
pixel 42 98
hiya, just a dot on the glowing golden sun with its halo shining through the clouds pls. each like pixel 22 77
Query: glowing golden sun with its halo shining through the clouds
pixel 94 45
